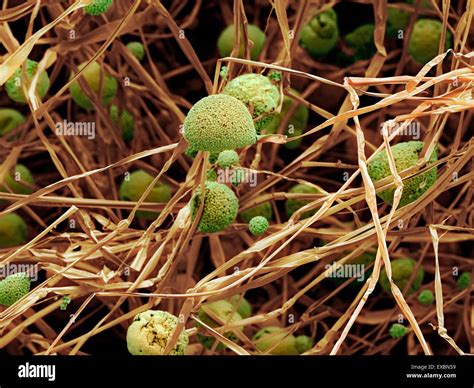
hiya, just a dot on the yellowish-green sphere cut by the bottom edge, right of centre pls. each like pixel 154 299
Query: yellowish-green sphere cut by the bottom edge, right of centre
pixel 275 340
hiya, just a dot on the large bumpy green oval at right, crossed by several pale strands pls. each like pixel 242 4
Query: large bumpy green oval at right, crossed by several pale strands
pixel 405 155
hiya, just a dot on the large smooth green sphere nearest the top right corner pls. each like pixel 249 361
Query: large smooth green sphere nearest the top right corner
pixel 424 40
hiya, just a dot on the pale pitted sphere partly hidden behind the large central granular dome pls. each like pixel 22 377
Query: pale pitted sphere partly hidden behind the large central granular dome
pixel 259 95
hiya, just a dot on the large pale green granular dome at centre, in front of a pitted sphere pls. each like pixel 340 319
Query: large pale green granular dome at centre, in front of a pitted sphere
pixel 219 122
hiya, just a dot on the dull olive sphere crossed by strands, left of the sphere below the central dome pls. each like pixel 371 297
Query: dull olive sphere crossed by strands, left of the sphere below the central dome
pixel 134 185
